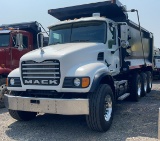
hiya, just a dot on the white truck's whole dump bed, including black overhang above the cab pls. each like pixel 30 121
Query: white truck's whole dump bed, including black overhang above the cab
pixel 114 10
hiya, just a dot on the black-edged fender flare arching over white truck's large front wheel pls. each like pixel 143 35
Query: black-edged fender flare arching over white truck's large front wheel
pixel 99 77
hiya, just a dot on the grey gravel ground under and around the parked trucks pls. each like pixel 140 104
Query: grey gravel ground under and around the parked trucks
pixel 132 122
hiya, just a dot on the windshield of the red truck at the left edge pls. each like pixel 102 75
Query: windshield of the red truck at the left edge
pixel 4 40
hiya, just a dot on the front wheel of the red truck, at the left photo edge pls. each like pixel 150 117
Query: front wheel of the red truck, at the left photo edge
pixel 3 89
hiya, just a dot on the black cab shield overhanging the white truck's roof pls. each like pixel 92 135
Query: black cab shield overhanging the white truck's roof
pixel 110 9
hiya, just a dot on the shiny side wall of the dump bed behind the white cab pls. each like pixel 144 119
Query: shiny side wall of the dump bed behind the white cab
pixel 136 55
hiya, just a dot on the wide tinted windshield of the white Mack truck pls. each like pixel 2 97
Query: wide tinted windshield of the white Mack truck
pixel 93 31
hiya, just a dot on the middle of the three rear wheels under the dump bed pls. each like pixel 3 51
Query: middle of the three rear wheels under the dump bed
pixel 144 84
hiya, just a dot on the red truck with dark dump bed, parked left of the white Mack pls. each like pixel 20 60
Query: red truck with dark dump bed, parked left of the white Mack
pixel 11 51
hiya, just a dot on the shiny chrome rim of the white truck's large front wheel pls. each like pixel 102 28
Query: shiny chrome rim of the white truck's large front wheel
pixel 108 108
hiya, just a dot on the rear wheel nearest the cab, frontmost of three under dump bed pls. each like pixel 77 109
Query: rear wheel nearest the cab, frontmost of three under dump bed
pixel 135 87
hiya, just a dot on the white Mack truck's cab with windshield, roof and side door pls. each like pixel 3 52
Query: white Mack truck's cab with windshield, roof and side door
pixel 96 30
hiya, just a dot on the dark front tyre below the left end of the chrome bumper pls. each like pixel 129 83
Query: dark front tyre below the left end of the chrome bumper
pixel 22 115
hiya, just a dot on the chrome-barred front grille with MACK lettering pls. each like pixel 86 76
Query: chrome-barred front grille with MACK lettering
pixel 41 73
